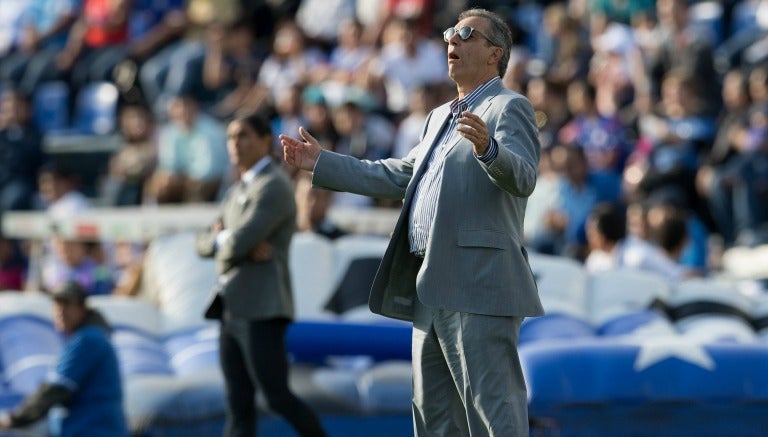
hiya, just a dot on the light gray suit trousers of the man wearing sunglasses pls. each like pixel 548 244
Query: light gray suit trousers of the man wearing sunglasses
pixel 467 379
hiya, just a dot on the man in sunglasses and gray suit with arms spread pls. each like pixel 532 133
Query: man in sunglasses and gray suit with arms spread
pixel 455 265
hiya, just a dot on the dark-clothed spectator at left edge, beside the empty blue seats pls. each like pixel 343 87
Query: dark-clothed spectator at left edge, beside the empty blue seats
pixel 21 152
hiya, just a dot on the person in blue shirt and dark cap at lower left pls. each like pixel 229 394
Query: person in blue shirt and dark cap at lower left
pixel 86 380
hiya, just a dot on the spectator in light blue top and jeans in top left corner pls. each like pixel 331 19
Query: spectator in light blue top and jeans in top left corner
pixel 46 25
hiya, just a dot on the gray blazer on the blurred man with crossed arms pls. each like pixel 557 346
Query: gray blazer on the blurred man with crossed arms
pixel 264 210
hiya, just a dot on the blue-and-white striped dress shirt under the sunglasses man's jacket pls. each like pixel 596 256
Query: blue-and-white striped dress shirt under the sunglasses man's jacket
pixel 424 204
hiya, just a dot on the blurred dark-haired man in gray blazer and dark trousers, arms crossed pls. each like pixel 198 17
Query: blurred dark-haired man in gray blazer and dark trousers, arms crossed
pixel 254 302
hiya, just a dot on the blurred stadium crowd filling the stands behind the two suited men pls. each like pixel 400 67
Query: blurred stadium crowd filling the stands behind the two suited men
pixel 653 114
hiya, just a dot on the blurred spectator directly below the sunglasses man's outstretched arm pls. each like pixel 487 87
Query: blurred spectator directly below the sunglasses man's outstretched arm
pixel 312 206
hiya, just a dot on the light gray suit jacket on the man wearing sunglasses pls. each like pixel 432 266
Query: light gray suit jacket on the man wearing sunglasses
pixel 475 261
